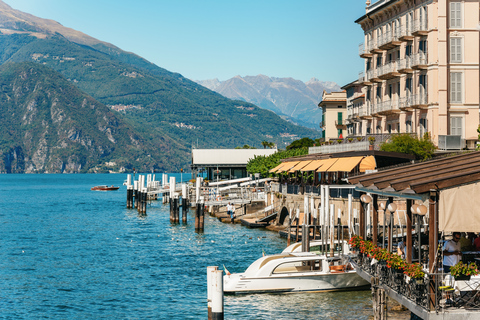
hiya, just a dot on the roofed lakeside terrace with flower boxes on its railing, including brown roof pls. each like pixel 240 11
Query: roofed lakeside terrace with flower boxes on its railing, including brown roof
pixel 433 275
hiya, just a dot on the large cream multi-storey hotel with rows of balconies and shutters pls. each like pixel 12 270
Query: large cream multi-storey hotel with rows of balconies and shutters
pixel 421 69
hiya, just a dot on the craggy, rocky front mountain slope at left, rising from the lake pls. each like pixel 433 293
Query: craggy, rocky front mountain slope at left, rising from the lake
pixel 54 127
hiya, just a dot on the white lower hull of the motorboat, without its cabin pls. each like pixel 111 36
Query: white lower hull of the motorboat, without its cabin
pixel 283 283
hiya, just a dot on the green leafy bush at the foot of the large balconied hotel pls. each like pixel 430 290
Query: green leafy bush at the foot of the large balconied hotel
pixel 422 149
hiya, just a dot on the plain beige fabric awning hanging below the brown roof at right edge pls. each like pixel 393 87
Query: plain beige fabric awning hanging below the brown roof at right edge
pixel 459 209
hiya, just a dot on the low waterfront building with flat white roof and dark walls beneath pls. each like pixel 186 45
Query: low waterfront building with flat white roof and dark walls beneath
pixel 224 164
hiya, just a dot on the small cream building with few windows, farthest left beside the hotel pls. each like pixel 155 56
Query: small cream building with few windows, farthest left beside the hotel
pixel 334 111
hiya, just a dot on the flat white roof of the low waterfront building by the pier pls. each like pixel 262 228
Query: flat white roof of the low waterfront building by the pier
pixel 227 156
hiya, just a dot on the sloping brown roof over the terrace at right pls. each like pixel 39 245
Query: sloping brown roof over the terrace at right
pixel 422 177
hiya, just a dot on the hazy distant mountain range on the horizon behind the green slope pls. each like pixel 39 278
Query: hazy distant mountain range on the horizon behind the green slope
pixel 291 99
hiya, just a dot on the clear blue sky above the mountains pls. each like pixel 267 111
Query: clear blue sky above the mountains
pixel 207 39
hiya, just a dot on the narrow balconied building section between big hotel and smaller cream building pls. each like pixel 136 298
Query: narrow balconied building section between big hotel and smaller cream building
pixel 355 101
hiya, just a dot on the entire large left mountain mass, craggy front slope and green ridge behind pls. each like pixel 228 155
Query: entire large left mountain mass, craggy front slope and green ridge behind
pixel 78 104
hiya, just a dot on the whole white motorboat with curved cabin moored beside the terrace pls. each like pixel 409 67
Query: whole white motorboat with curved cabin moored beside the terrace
pixel 295 272
